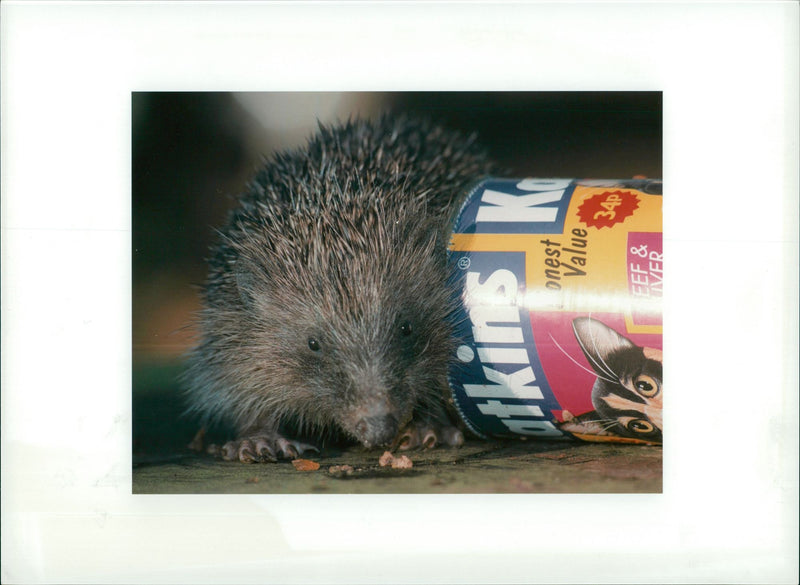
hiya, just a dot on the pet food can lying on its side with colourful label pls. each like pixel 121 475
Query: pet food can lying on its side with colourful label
pixel 560 331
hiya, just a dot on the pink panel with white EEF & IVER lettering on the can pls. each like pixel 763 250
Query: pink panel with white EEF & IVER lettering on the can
pixel 645 274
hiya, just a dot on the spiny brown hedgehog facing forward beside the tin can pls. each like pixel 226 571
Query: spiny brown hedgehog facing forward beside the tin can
pixel 327 310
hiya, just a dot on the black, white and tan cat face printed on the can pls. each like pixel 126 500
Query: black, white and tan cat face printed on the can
pixel 627 395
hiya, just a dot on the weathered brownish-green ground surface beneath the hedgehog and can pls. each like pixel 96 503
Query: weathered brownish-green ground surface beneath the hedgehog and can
pixel 477 467
